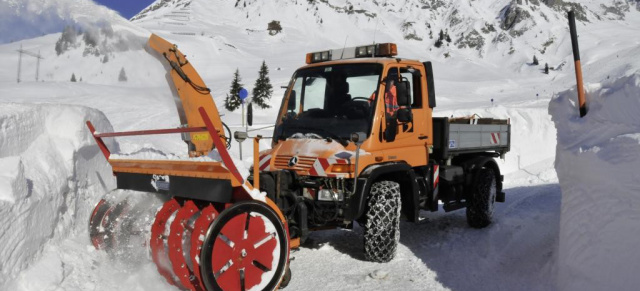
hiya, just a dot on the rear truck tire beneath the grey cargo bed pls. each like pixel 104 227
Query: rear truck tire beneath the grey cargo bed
pixel 481 201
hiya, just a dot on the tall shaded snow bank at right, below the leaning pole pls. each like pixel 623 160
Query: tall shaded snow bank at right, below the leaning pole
pixel 598 163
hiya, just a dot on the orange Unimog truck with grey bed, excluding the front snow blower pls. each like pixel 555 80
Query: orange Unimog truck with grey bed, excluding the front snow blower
pixel 355 140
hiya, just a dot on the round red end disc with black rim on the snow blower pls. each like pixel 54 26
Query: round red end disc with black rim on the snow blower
pixel 246 246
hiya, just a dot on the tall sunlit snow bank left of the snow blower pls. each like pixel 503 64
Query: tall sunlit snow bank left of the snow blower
pixel 51 175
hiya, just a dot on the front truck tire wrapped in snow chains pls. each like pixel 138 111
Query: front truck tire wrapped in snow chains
pixel 382 226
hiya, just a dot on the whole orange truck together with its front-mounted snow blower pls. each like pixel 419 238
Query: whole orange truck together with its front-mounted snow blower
pixel 354 141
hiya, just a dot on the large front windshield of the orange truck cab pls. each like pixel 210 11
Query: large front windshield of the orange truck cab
pixel 331 102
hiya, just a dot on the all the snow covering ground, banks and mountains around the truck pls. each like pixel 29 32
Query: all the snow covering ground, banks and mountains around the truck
pixel 52 174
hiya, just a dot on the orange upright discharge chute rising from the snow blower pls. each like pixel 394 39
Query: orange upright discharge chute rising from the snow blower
pixel 191 95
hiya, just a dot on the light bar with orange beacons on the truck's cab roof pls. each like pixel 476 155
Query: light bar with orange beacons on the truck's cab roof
pixel 368 51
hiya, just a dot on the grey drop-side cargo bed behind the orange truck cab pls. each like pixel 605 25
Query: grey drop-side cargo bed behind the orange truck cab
pixel 456 136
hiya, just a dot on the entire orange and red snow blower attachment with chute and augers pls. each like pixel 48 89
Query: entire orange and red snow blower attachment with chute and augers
pixel 205 226
